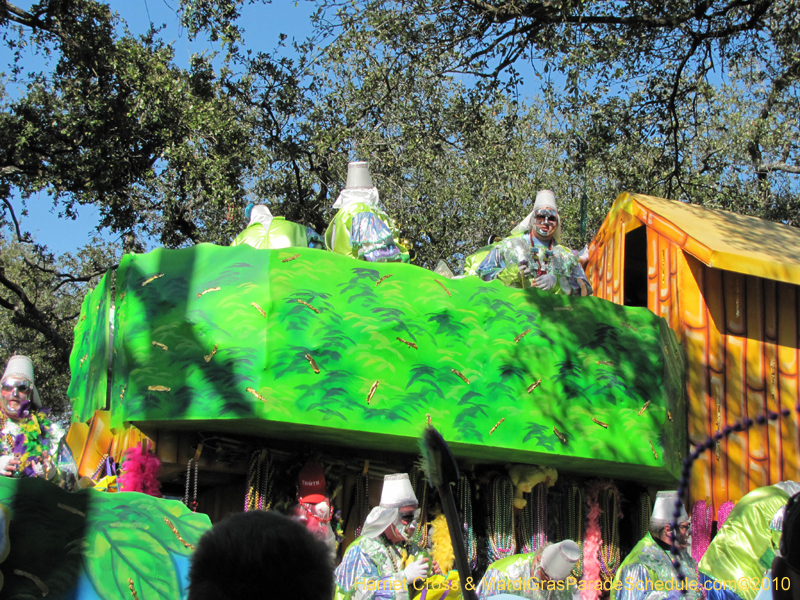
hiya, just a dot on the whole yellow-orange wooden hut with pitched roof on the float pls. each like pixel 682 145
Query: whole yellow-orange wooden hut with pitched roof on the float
pixel 727 284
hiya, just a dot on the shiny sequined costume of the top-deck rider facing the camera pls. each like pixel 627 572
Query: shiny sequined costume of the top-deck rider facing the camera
pixel 502 263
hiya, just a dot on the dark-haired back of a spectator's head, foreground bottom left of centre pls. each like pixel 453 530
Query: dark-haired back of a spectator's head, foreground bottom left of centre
pixel 260 554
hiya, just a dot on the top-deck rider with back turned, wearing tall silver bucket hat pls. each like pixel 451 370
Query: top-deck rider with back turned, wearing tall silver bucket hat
pixel 361 228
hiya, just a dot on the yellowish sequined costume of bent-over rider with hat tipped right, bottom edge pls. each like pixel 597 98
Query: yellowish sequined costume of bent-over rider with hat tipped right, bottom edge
pixel 516 575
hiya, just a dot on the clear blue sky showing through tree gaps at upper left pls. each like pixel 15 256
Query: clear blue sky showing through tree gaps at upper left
pixel 263 25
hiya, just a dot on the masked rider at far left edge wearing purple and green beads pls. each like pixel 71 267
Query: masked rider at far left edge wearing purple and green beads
pixel 27 444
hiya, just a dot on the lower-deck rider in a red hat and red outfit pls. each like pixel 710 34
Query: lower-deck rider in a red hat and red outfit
pixel 314 508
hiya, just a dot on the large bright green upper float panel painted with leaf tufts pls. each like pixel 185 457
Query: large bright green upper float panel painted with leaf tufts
pixel 223 338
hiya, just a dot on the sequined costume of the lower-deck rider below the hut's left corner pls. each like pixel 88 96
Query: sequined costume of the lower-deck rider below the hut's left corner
pixel 647 574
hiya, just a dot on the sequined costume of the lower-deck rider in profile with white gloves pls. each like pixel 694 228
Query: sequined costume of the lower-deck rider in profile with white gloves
pixel 372 568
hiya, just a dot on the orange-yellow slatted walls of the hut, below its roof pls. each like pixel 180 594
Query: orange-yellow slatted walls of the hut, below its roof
pixel 741 336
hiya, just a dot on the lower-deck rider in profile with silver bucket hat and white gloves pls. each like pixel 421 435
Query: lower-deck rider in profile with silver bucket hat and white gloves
pixel 374 564
